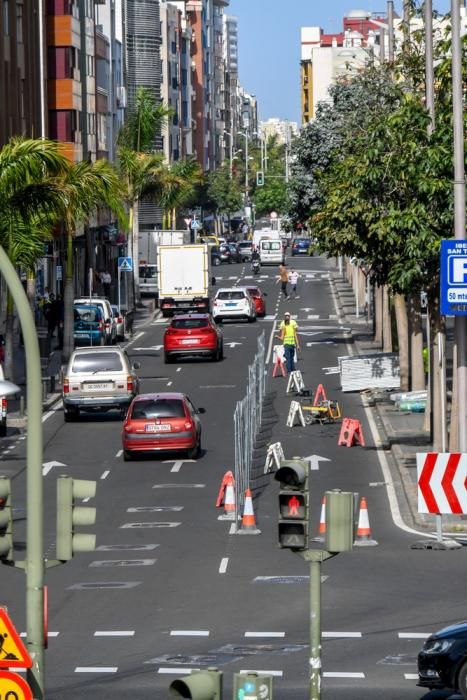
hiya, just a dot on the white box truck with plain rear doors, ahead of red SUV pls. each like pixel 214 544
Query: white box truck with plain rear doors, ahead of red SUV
pixel 184 278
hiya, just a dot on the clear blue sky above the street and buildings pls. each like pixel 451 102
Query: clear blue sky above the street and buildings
pixel 269 44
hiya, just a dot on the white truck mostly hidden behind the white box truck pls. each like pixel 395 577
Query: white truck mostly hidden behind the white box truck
pixel 147 252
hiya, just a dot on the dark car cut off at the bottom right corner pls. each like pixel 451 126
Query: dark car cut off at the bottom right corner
pixel 442 663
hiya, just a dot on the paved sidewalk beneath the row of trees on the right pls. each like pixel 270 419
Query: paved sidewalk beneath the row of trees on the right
pixel 401 433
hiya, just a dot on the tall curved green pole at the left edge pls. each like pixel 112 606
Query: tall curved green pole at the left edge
pixel 34 564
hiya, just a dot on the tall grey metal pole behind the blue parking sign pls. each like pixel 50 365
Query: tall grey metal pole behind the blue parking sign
pixel 459 213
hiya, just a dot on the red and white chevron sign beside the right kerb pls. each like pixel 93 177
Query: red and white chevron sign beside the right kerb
pixel 442 482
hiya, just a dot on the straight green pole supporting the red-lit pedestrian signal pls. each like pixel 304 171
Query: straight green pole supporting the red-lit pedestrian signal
pixel 316 558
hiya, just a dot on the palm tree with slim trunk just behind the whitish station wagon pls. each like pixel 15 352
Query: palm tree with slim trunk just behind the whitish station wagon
pixel 85 187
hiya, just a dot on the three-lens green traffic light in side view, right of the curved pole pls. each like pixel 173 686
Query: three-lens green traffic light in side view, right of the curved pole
pixel 69 515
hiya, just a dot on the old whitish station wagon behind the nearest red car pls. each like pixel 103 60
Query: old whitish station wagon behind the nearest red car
pixel 98 379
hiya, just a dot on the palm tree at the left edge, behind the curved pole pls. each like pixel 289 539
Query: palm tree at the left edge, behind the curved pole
pixel 30 202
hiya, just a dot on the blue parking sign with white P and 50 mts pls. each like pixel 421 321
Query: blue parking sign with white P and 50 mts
pixel 453 267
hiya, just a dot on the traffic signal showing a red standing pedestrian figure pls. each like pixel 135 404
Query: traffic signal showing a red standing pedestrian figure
pixel 293 503
